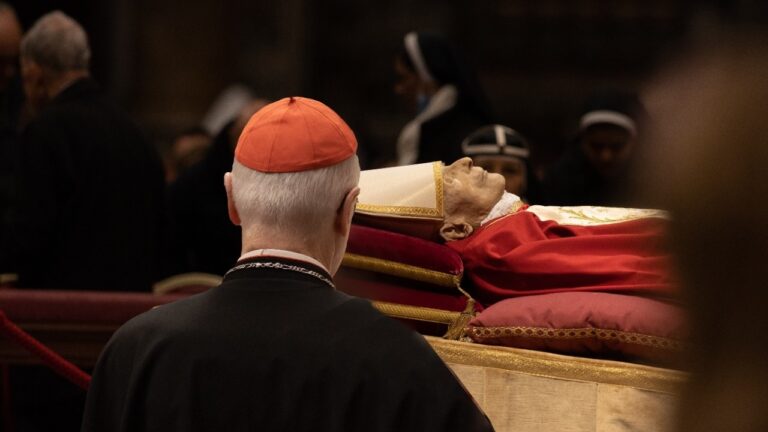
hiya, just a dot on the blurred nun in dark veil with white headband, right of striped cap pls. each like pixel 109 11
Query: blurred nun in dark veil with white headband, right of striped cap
pixel 595 168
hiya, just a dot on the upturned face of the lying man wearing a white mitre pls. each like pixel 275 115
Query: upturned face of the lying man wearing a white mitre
pixel 470 191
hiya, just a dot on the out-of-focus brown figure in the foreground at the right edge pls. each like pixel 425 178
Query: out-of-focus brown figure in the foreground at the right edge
pixel 708 165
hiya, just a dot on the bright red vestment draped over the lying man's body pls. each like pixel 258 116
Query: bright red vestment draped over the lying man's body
pixel 521 255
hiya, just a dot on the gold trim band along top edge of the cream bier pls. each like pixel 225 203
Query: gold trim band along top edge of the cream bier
pixel 559 366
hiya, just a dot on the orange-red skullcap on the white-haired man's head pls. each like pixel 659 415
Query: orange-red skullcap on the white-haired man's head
pixel 294 134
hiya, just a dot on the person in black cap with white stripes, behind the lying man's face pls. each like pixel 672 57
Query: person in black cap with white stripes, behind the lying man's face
pixel 502 150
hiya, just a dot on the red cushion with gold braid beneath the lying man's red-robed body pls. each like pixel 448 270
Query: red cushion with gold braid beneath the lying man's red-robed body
pixel 584 323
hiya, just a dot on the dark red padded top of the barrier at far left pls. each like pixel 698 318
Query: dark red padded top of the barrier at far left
pixel 25 306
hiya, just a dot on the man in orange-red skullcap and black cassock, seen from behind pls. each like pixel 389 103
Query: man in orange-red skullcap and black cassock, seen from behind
pixel 276 347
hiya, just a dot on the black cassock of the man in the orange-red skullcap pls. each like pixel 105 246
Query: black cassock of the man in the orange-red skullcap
pixel 274 348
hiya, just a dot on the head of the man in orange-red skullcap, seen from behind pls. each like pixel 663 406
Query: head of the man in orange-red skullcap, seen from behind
pixel 294 181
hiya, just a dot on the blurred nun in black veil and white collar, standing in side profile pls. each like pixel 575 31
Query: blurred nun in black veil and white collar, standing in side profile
pixel 435 80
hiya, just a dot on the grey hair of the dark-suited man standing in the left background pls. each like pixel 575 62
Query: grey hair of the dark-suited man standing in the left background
pixel 58 43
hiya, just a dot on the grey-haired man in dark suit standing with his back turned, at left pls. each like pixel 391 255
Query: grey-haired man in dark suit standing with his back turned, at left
pixel 90 186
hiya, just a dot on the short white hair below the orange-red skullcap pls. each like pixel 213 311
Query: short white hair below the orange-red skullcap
pixel 296 203
